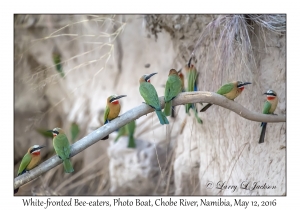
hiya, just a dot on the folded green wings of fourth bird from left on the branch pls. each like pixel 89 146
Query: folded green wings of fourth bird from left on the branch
pixel 149 94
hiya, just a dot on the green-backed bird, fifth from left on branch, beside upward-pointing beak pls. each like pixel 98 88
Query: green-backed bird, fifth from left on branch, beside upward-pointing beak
pixel 172 89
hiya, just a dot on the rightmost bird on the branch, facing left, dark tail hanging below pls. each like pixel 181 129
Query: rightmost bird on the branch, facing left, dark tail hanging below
pixel 269 108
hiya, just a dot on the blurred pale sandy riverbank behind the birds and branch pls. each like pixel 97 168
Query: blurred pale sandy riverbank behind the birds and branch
pixel 67 65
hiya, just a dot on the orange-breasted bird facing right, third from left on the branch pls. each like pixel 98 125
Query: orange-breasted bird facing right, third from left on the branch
pixel 112 109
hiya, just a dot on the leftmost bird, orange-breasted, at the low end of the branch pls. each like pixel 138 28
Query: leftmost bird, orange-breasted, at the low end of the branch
pixel 30 160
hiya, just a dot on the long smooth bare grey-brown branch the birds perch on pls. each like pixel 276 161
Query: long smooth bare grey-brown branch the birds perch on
pixel 182 98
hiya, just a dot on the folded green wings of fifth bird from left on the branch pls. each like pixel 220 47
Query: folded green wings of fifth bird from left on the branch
pixel 173 87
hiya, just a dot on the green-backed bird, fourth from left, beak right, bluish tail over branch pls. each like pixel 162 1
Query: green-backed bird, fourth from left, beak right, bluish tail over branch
pixel 150 96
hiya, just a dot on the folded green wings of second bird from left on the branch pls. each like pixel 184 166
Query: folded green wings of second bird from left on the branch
pixel 62 146
